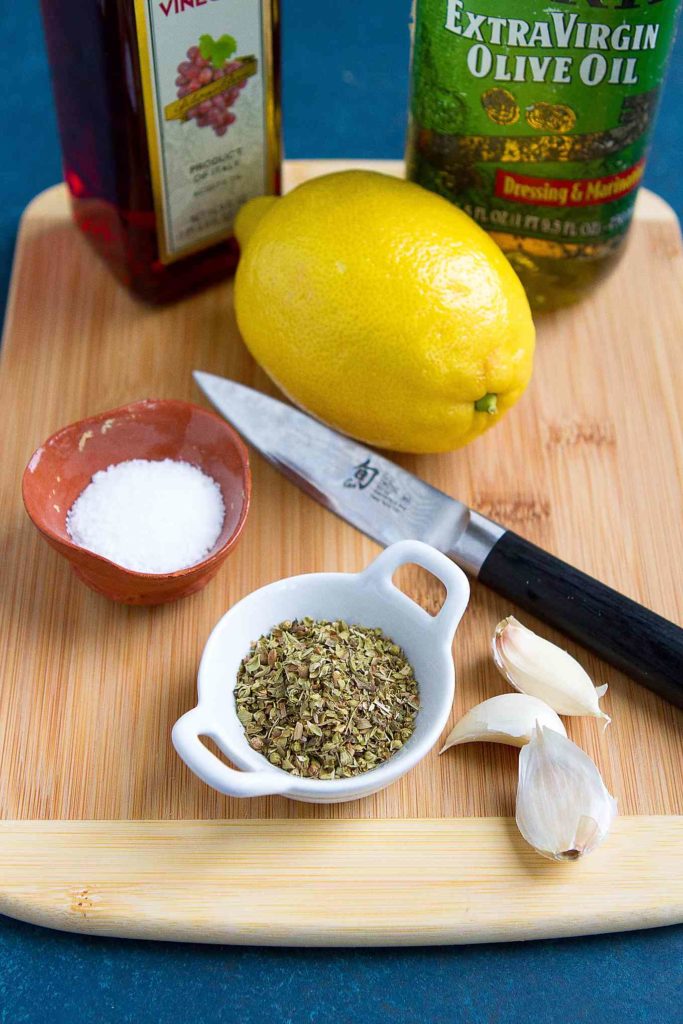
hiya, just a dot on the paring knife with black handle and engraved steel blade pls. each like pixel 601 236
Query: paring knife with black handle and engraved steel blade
pixel 390 504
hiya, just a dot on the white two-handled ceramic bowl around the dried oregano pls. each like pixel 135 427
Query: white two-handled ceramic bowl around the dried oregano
pixel 367 599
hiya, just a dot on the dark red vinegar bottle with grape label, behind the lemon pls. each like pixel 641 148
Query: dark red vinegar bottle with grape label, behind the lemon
pixel 169 121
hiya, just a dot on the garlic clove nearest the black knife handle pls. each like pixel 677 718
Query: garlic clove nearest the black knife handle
pixel 539 668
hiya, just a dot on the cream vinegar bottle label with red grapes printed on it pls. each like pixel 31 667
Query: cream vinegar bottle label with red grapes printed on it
pixel 206 83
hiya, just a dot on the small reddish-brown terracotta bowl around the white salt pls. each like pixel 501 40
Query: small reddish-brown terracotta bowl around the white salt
pixel 63 467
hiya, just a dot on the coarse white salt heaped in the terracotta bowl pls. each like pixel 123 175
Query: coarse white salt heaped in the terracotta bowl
pixel 151 517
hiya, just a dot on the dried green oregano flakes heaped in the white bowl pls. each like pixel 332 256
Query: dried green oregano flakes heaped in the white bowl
pixel 326 700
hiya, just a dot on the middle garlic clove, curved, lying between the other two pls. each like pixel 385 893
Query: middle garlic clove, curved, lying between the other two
pixel 508 718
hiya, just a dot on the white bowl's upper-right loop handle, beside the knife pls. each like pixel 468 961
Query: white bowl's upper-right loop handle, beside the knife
pixel 457 586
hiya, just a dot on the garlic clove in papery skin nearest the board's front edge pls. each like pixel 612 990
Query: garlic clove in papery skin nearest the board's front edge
pixel 564 808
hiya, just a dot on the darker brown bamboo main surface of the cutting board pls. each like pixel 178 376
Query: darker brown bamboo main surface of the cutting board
pixel 588 465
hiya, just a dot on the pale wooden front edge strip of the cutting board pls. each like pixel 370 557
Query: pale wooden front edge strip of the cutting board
pixel 314 883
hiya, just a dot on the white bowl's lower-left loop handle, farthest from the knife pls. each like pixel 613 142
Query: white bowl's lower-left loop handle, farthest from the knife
pixel 186 737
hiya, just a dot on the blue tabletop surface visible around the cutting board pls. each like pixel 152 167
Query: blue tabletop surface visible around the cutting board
pixel 345 96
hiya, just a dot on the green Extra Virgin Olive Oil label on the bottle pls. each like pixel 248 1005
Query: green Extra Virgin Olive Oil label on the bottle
pixel 538 125
